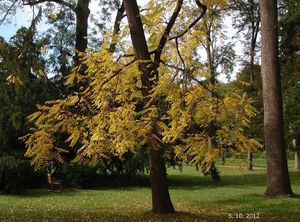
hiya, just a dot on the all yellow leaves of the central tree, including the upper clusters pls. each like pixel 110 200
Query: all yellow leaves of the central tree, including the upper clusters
pixel 108 118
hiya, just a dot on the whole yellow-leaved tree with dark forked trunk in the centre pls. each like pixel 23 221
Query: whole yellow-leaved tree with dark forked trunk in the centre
pixel 151 94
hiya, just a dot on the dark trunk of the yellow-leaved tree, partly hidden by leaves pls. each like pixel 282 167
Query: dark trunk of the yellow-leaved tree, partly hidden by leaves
pixel 161 202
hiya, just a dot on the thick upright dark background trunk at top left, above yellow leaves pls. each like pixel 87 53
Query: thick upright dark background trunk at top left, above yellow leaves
pixel 82 12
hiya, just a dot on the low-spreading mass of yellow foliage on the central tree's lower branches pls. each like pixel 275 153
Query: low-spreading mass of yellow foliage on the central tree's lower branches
pixel 104 120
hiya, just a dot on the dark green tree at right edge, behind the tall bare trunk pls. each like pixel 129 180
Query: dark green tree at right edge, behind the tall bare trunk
pixel 289 51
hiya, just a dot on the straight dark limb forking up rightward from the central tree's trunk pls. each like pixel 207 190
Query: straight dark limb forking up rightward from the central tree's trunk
pixel 167 31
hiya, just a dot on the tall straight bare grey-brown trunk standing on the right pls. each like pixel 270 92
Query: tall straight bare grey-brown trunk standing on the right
pixel 278 182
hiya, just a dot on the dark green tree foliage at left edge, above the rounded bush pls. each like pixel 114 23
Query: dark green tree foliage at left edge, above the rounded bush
pixel 22 84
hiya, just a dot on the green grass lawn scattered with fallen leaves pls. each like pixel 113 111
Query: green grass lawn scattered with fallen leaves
pixel 195 198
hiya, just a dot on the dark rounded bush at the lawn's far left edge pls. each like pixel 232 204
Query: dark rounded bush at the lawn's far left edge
pixel 15 174
